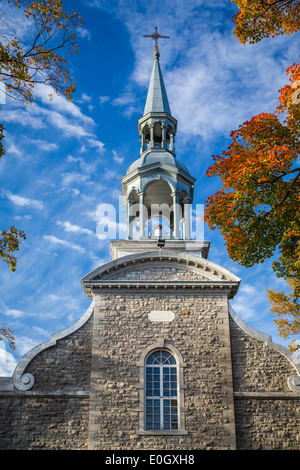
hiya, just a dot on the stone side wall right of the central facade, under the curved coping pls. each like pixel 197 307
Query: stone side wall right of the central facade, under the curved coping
pixel 267 412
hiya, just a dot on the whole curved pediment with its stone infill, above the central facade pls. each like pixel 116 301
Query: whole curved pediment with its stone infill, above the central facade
pixel 160 270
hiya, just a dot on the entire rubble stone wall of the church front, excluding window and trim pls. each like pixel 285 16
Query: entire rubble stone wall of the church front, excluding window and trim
pixel 87 389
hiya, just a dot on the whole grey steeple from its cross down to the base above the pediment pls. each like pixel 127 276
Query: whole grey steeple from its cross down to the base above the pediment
pixel 158 189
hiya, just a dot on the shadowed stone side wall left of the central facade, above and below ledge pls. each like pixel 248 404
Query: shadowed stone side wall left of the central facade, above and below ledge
pixel 54 413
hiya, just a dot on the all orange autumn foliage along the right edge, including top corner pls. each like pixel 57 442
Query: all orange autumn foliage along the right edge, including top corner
pixel 257 208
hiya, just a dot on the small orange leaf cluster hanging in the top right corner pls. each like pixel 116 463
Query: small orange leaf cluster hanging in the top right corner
pixel 258 19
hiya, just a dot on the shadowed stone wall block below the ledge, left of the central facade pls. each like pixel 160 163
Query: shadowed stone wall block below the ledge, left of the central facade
pixel 34 422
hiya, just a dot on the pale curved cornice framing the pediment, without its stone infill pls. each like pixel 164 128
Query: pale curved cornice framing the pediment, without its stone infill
pixel 217 279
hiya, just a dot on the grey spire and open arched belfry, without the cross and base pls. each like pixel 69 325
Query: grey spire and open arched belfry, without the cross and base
pixel 157 185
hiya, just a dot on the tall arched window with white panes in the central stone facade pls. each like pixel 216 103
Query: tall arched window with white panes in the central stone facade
pixel 161 391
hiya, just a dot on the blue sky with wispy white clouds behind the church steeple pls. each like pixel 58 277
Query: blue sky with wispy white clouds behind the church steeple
pixel 65 159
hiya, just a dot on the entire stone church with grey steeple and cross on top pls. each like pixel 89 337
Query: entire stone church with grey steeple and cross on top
pixel 159 361
